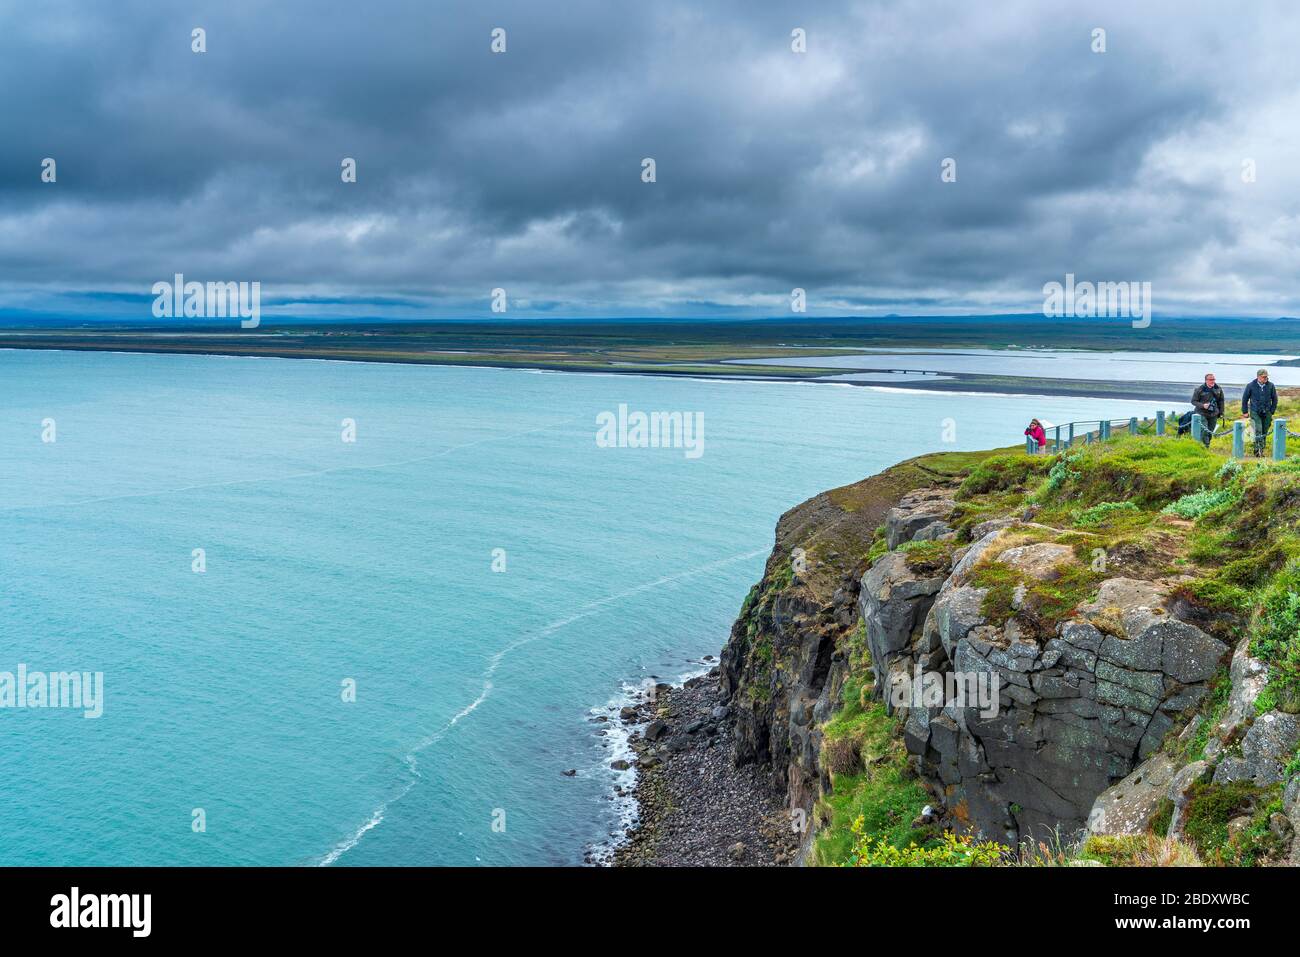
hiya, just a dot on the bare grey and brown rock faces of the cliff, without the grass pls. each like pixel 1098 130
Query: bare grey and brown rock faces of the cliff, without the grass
pixel 1090 692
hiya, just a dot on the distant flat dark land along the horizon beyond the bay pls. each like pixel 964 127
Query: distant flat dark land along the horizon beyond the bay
pixel 691 349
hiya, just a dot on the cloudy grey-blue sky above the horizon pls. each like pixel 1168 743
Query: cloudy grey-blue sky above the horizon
pixel 1172 158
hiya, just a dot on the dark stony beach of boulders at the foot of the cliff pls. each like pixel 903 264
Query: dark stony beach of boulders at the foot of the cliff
pixel 696 807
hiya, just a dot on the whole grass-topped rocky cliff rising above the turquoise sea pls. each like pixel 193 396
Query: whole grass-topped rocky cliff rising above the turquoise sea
pixel 1126 700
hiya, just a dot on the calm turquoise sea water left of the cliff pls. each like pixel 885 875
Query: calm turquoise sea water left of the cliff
pixel 372 561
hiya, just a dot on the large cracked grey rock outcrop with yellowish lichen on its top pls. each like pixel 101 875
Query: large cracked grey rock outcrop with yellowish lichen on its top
pixel 1071 707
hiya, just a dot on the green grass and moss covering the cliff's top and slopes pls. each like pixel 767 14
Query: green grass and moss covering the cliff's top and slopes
pixel 1150 508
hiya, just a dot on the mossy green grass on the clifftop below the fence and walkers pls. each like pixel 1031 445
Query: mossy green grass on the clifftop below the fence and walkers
pixel 1162 508
